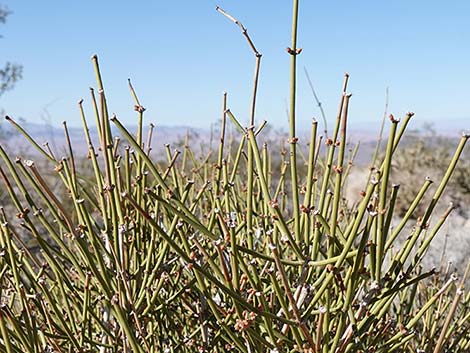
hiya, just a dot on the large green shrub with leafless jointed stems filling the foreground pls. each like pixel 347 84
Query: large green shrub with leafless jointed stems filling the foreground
pixel 219 254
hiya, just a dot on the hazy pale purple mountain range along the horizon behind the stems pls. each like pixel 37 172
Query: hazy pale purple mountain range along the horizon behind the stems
pixel 200 139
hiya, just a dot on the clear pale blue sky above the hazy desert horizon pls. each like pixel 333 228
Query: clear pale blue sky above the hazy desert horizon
pixel 181 56
